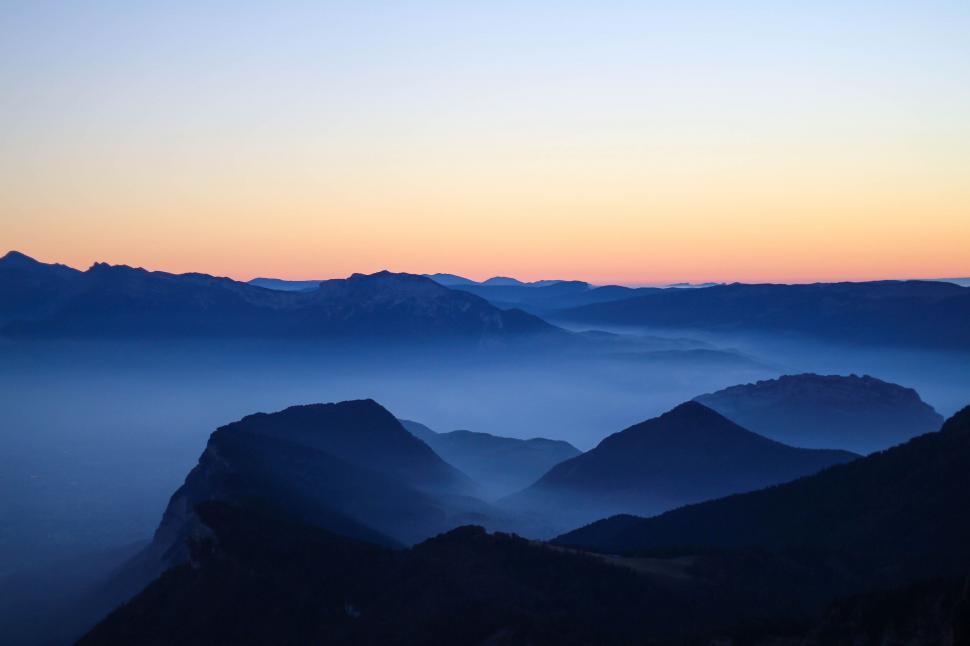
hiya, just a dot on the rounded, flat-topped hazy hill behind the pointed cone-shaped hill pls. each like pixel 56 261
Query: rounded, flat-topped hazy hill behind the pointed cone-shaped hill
pixel 859 414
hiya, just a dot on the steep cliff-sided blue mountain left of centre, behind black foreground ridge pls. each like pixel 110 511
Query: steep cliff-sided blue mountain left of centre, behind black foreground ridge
pixel 349 467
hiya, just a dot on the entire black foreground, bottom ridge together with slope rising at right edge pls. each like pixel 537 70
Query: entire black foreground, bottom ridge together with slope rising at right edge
pixel 868 552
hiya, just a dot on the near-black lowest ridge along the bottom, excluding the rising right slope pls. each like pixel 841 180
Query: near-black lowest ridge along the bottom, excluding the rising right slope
pixel 255 577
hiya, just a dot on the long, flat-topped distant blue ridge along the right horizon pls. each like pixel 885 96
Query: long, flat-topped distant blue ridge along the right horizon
pixel 910 313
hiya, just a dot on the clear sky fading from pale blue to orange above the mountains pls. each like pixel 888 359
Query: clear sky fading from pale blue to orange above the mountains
pixel 634 142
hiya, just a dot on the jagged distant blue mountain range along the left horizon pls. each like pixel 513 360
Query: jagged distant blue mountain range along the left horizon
pixel 120 301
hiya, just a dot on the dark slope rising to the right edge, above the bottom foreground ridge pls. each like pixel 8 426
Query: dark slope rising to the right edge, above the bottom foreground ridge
pixel 897 515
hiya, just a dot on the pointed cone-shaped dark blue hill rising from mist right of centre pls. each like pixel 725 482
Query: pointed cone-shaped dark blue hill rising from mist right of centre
pixel 688 454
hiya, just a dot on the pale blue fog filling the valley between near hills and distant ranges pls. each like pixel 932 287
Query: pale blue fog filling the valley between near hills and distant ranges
pixel 96 437
